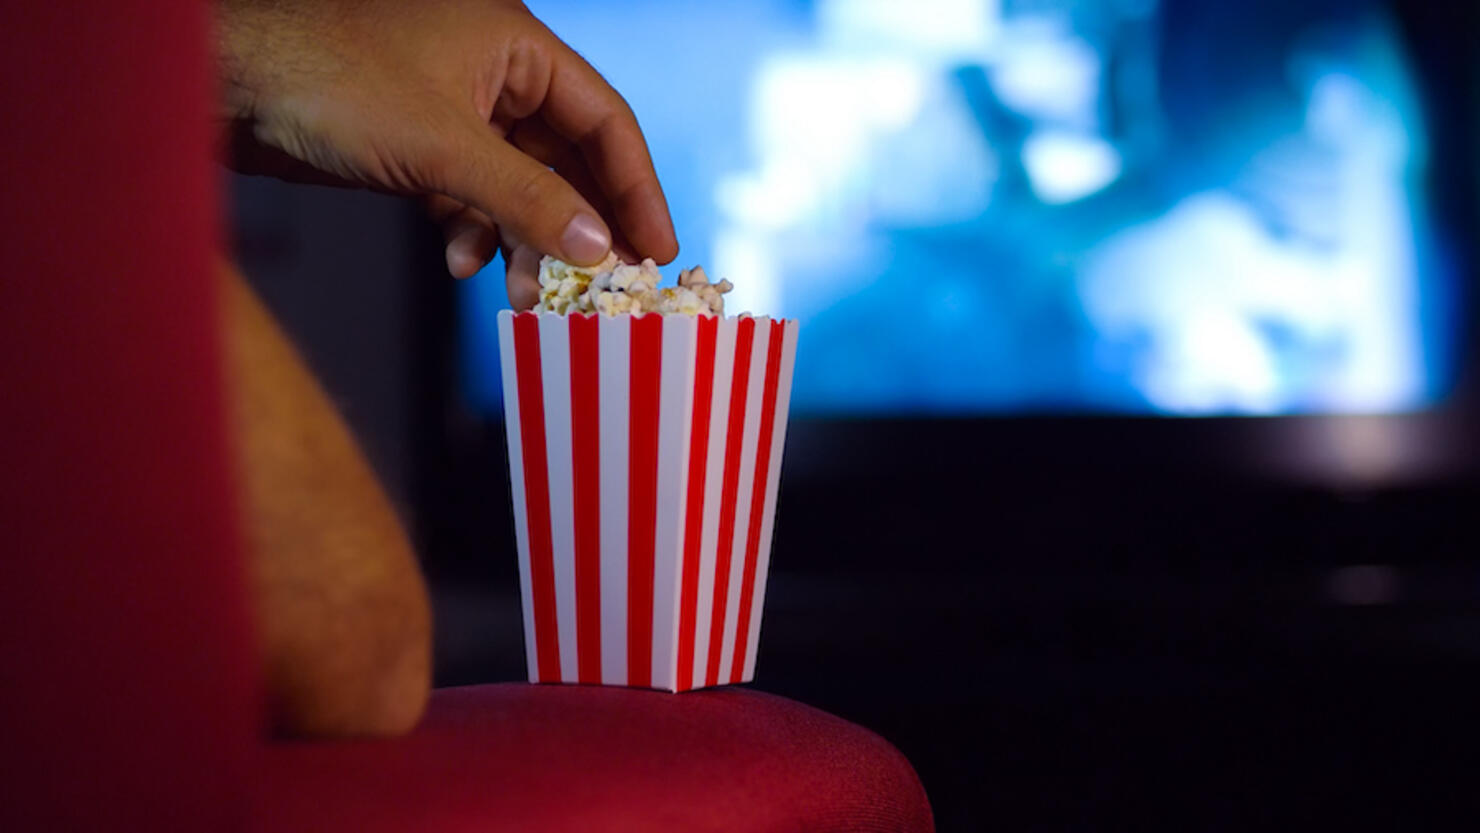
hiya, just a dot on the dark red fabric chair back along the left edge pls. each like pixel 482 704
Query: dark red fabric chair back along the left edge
pixel 127 701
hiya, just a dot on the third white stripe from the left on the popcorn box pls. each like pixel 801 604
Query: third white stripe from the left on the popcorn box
pixel 613 343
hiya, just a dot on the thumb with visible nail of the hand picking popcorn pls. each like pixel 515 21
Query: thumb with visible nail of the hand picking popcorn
pixel 523 198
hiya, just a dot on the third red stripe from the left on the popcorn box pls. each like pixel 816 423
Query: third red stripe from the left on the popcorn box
pixel 646 371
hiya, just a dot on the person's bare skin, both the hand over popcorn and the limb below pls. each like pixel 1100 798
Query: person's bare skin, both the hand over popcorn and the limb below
pixel 514 143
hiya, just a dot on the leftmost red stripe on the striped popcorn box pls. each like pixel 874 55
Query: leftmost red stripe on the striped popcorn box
pixel 536 495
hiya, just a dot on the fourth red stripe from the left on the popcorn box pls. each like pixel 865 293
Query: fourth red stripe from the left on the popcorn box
pixel 695 520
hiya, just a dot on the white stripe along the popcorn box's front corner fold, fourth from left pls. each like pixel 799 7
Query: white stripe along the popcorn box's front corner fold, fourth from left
pixel 676 414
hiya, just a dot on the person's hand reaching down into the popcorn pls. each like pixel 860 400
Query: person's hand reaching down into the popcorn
pixel 511 137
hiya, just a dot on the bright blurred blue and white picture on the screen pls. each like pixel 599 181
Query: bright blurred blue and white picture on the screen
pixel 979 206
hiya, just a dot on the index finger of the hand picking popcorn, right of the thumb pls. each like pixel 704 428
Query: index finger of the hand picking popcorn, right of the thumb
pixel 582 107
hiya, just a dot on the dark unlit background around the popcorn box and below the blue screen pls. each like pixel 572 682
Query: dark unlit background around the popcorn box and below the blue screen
pixel 1063 622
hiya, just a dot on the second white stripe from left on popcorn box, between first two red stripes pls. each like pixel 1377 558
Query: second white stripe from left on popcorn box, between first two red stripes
pixel 556 372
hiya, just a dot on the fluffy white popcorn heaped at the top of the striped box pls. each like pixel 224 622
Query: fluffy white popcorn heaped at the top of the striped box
pixel 613 288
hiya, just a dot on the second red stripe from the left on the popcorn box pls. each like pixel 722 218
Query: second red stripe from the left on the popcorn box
pixel 585 455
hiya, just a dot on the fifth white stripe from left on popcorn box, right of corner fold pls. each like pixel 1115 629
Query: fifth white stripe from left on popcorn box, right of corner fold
pixel 714 480
